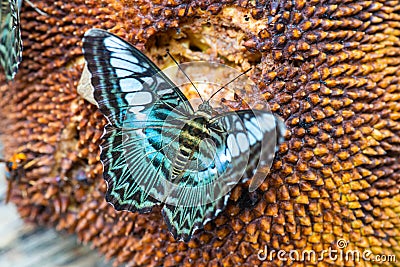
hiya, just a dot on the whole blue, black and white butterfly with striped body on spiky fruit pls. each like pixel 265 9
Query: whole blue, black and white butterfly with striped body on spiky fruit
pixel 157 150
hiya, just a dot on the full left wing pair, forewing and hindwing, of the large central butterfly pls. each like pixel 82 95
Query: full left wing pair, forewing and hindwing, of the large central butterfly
pixel 137 99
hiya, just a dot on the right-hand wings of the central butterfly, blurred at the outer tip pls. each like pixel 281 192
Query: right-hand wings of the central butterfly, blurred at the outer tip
pixel 243 139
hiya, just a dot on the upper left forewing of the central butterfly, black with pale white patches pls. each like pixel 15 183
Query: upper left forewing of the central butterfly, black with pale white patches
pixel 125 79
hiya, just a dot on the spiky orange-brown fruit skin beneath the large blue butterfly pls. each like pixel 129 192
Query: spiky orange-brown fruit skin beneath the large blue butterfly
pixel 329 68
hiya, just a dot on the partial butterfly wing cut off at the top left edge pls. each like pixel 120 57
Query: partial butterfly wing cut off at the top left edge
pixel 10 39
